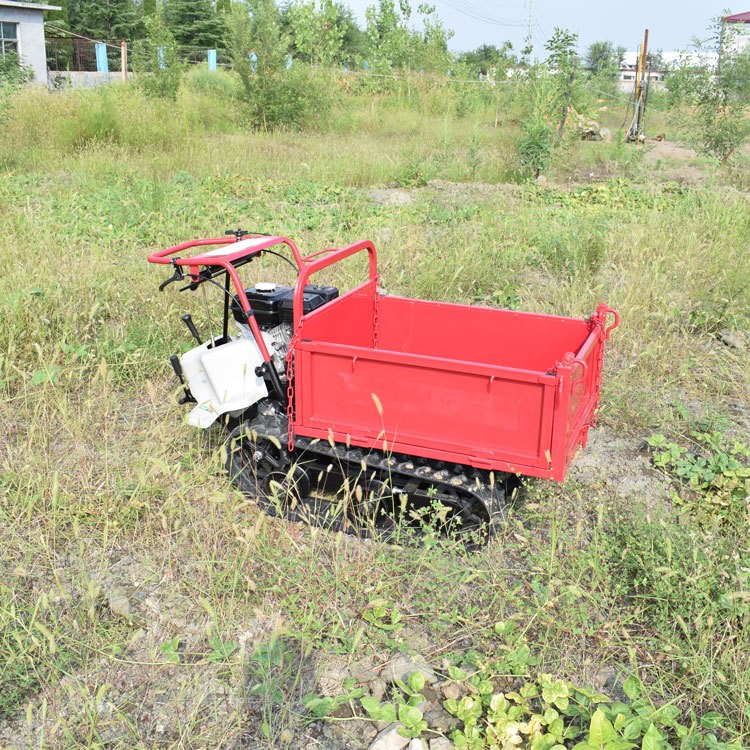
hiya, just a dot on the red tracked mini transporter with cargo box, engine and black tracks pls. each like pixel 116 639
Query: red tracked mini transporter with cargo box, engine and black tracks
pixel 407 404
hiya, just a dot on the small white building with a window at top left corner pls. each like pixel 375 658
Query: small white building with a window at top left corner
pixel 22 33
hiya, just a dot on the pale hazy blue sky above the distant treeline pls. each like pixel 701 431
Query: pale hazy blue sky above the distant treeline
pixel 671 24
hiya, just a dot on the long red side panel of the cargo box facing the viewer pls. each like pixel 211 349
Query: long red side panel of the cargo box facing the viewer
pixel 456 411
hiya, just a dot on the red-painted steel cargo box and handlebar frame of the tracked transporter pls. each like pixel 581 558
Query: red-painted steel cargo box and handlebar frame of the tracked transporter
pixel 336 353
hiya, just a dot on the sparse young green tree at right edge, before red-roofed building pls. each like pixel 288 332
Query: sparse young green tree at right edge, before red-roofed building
pixel 713 100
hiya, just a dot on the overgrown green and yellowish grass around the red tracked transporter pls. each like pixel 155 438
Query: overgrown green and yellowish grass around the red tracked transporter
pixel 103 490
